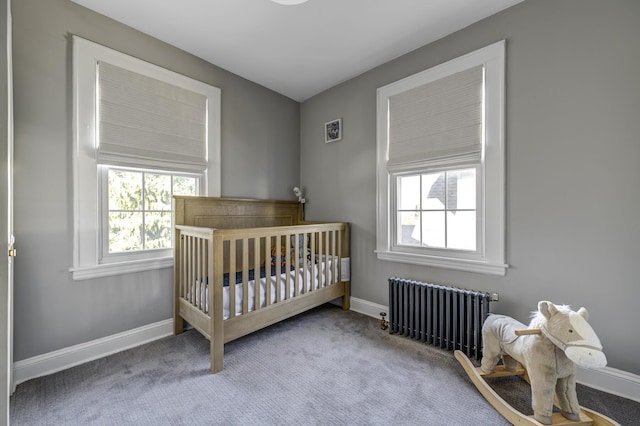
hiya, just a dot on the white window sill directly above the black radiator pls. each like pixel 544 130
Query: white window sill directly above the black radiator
pixel 444 262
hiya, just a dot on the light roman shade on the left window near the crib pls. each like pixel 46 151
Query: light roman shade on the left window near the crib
pixel 142 118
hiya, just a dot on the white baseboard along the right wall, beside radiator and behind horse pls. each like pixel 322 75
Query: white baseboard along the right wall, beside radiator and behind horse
pixel 610 380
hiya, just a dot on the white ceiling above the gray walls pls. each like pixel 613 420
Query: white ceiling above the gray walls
pixel 299 50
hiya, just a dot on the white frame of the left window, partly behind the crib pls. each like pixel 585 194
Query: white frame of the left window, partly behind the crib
pixel 86 203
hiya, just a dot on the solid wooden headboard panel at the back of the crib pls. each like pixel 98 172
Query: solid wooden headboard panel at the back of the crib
pixel 234 213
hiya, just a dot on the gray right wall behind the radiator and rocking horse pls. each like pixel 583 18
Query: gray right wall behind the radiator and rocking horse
pixel 573 146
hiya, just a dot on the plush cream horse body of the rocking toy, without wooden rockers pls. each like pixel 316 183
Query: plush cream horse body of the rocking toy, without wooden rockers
pixel 550 356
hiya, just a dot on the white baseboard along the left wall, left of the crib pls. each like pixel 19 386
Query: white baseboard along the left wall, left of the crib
pixel 62 359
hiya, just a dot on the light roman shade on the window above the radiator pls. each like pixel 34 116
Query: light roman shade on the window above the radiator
pixel 440 119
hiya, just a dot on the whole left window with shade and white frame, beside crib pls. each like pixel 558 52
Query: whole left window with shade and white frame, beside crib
pixel 141 134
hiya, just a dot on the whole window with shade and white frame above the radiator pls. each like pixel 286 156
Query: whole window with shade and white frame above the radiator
pixel 441 165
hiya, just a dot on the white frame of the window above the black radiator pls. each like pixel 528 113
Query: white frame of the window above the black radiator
pixel 490 255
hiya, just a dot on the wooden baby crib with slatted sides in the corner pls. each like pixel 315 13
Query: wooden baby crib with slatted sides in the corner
pixel 241 265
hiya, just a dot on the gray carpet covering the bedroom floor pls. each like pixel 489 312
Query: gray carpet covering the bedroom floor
pixel 323 367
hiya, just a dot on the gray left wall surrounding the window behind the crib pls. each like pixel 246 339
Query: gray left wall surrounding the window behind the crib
pixel 260 153
